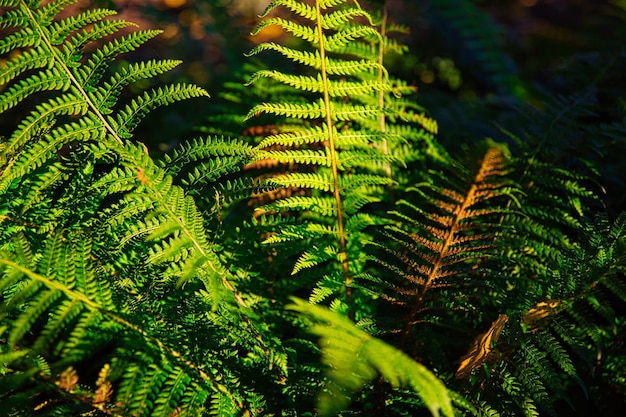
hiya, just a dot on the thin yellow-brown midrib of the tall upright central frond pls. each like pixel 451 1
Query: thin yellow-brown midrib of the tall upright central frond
pixel 343 254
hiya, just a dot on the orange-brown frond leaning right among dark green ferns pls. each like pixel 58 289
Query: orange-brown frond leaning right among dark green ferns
pixel 445 234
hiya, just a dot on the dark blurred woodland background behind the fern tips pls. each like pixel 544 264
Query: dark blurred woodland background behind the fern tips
pixel 480 67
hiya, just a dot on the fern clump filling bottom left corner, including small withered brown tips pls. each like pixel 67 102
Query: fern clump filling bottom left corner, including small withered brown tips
pixel 57 311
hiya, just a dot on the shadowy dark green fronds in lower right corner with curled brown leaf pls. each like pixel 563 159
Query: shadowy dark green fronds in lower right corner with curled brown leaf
pixel 545 355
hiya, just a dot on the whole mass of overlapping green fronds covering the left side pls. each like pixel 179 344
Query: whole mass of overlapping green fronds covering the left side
pixel 99 241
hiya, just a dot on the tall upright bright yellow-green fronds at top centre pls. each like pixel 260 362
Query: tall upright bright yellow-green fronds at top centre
pixel 344 153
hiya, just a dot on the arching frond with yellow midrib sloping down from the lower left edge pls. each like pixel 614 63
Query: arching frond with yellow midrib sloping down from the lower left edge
pixel 69 315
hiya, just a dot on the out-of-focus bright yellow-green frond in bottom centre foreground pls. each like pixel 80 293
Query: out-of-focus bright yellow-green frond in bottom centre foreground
pixel 354 357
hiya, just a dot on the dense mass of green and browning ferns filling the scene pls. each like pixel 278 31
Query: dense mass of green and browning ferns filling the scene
pixel 322 248
